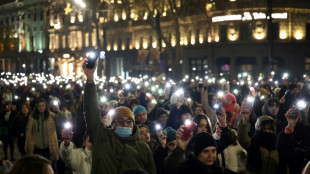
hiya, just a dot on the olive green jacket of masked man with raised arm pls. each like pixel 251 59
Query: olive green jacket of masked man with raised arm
pixel 111 153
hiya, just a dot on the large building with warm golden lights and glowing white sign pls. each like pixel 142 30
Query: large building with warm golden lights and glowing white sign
pixel 223 37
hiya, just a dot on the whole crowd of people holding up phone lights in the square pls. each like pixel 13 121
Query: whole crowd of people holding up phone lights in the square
pixel 154 125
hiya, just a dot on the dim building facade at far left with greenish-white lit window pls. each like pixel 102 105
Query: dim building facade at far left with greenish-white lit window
pixel 23 36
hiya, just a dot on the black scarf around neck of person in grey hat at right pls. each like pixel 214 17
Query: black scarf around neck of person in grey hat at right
pixel 264 139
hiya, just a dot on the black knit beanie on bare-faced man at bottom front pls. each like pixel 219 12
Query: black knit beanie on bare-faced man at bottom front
pixel 201 141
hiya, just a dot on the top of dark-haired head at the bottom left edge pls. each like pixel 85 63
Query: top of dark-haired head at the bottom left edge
pixel 33 164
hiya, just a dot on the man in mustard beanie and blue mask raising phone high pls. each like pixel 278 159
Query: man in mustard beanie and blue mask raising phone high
pixel 117 149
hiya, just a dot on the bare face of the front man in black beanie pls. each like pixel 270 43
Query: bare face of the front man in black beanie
pixel 207 156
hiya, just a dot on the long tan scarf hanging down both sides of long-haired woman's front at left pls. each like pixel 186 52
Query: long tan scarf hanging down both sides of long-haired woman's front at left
pixel 52 137
